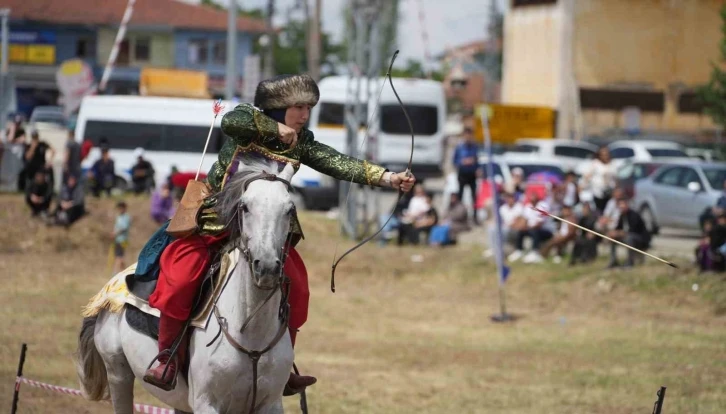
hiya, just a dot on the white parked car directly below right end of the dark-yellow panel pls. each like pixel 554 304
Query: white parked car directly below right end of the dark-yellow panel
pixel 567 153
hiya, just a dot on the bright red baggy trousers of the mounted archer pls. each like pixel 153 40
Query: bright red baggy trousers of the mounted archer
pixel 184 263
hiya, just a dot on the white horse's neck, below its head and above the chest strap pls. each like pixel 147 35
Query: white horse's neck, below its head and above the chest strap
pixel 240 298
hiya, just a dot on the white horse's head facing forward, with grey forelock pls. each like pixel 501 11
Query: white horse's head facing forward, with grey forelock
pixel 262 211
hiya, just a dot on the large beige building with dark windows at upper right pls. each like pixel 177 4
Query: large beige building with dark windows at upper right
pixel 612 64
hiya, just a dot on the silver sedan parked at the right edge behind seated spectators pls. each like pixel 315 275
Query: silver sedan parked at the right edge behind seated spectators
pixel 676 194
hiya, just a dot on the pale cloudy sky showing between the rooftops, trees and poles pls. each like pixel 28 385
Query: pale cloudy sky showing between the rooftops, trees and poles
pixel 448 22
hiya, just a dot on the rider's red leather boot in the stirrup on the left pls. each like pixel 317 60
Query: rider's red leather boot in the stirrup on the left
pixel 169 330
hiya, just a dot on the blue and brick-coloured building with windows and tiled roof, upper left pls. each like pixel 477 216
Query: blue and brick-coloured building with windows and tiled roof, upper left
pixel 161 34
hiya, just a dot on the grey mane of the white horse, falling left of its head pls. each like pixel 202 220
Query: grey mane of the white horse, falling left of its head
pixel 229 197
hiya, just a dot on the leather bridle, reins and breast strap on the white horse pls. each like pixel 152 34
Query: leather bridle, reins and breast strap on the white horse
pixel 282 283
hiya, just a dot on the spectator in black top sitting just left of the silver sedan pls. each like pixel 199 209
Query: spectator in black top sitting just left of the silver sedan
pixel 630 230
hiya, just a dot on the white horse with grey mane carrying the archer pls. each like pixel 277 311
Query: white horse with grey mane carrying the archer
pixel 111 355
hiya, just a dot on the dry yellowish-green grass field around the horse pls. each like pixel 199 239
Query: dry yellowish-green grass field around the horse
pixel 405 337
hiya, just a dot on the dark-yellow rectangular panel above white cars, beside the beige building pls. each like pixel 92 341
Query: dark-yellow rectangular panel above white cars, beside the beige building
pixel 507 123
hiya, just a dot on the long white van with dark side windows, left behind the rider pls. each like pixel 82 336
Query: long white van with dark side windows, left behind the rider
pixel 172 132
